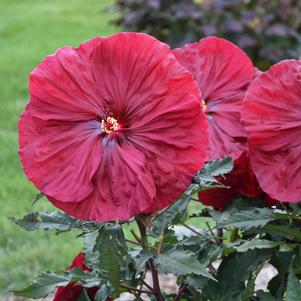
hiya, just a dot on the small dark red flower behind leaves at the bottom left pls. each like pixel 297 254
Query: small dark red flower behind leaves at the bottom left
pixel 71 292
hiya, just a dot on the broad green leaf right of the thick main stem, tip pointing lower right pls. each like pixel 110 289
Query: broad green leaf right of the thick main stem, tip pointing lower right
pixel 181 262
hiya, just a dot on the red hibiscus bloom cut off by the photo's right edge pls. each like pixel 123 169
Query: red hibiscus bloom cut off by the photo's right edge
pixel 272 117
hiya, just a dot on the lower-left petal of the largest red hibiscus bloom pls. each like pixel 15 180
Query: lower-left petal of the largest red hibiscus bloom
pixel 60 158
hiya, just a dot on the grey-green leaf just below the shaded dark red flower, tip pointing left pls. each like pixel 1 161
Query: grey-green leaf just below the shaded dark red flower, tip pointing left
pixel 248 219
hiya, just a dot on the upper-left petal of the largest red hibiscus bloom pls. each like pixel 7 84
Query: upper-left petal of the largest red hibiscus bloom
pixel 62 87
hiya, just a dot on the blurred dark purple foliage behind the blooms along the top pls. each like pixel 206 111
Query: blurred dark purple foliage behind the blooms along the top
pixel 268 30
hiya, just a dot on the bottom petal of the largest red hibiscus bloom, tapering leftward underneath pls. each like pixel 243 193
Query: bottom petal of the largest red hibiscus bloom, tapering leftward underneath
pixel 123 187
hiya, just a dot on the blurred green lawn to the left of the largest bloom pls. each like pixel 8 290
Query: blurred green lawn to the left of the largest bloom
pixel 29 30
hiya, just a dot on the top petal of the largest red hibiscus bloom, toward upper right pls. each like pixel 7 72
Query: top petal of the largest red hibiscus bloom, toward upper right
pixel 135 73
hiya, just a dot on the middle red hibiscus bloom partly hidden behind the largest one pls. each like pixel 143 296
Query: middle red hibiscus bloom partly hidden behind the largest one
pixel 223 72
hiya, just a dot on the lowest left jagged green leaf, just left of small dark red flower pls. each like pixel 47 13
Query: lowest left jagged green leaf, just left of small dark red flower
pixel 44 285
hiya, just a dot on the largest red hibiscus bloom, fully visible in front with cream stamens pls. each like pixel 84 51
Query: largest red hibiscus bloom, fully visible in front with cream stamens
pixel 113 128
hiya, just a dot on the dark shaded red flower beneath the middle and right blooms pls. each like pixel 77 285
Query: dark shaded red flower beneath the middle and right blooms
pixel 241 180
